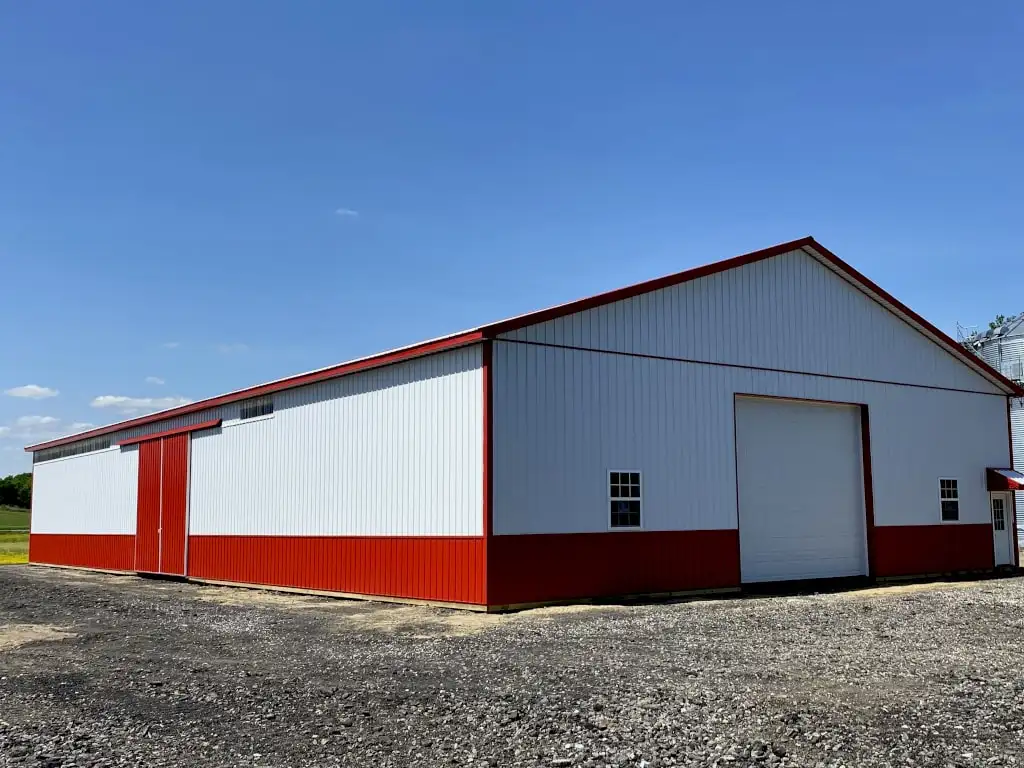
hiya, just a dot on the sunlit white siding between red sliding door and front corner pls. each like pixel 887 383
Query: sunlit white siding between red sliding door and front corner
pixel 396 451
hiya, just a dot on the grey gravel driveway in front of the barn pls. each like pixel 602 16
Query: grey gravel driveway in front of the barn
pixel 113 671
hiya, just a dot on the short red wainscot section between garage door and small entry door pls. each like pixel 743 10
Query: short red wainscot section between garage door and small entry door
pixel 914 550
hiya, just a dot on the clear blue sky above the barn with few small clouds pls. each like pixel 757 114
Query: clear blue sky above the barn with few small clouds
pixel 198 197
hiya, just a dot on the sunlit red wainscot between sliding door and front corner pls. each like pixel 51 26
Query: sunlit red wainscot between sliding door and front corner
pixel 442 569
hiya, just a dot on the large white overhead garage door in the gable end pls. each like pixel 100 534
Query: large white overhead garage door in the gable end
pixel 801 491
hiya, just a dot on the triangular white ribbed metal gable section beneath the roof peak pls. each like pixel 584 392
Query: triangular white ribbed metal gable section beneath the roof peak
pixel 788 313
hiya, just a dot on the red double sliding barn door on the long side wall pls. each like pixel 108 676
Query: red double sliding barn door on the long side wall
pixel 163 502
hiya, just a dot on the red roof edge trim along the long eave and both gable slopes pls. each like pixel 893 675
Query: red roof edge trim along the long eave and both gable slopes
pixel 543 316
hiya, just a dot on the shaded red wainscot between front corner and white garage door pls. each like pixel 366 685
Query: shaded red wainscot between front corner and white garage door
pixel 565 567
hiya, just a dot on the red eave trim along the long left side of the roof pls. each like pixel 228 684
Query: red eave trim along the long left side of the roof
pixel 386 359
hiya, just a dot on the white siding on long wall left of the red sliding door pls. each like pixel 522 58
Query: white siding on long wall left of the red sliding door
pixel 87 494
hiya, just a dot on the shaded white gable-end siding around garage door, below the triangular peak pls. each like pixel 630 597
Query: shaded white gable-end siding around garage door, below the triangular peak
pixel 563 418
